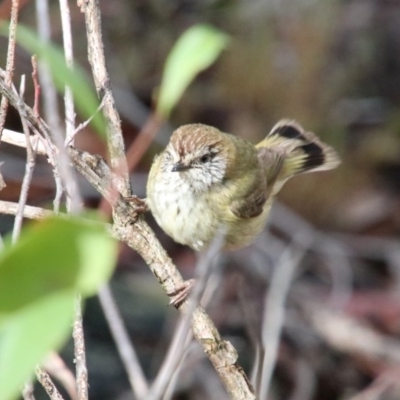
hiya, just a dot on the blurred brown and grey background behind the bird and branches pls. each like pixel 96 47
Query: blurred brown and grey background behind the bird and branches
pixel 333 65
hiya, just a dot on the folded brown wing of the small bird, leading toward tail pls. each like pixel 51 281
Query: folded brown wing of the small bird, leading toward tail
pixel 252 203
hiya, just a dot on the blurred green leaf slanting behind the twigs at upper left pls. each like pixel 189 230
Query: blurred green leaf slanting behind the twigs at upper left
pixel 85 97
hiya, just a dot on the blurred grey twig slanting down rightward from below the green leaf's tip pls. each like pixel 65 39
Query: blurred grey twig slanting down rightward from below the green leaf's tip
pixel 125 348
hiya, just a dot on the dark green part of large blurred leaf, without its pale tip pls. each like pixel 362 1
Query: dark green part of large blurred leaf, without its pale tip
pixel 45 260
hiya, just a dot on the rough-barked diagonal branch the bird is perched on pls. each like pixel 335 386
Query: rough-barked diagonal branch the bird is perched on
pixel 135 232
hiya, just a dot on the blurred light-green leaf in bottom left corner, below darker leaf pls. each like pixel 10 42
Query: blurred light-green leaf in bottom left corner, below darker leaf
pixel 29 335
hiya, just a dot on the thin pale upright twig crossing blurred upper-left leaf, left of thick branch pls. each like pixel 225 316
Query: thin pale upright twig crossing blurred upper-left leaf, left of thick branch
pixel 69 58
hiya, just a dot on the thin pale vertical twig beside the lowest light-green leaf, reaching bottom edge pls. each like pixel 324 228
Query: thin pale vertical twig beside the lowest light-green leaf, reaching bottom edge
pixel 80 355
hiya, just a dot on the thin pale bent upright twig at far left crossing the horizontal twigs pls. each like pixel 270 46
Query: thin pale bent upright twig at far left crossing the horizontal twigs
pixel 29 167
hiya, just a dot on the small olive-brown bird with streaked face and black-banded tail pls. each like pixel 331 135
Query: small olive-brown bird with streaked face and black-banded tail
pixel 205 179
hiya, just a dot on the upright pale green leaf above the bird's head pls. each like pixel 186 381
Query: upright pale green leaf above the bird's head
pixel 194 51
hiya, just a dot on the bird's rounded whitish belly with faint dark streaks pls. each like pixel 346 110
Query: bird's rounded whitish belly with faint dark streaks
pixel 187 218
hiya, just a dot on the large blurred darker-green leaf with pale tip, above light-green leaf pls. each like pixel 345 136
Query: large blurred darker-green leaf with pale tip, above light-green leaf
pixel 53 255
